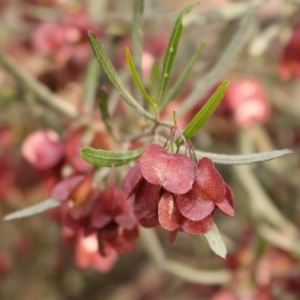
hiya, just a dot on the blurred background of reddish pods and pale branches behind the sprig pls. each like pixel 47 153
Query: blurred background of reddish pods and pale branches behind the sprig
pixel 47 43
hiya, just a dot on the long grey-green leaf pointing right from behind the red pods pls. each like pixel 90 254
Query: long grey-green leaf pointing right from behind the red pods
pixel 243 159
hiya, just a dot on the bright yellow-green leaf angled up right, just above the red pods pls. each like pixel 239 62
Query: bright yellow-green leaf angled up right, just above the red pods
pixel 206 111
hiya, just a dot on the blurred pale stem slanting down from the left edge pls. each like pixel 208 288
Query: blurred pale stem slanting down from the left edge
pixel 41 91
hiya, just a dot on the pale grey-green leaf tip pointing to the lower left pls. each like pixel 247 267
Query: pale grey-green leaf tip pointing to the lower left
pixel 33 209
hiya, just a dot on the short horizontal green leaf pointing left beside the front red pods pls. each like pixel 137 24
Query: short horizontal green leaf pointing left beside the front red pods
pixel 104 158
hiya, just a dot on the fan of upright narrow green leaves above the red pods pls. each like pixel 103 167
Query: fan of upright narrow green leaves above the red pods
pixel 162 97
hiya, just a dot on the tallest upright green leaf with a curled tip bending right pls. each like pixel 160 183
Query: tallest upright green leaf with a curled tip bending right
pixel 172 50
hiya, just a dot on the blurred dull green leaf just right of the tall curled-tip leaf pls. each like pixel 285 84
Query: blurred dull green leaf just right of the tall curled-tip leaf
pixel 177 87
